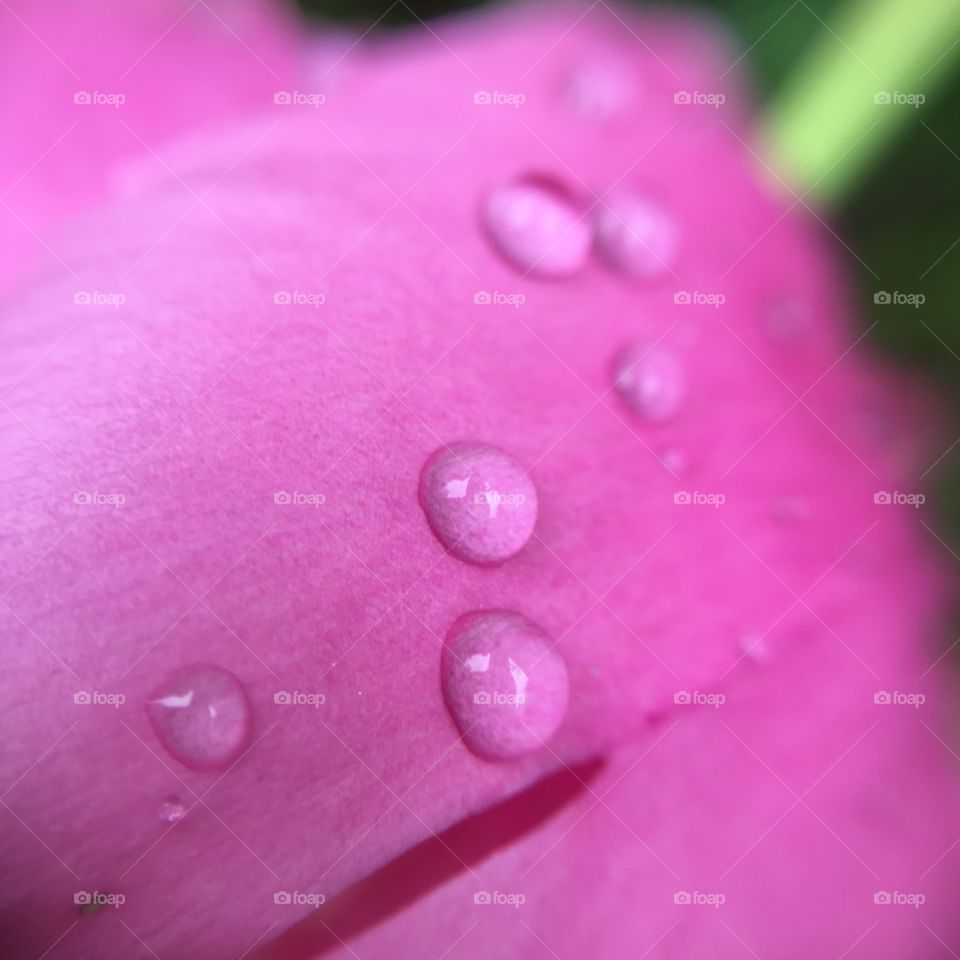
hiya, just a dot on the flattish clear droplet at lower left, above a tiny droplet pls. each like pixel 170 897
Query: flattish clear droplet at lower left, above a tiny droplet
pixel 202 716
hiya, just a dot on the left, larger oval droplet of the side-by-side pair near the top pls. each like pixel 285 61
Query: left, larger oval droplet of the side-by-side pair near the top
pixel 538 226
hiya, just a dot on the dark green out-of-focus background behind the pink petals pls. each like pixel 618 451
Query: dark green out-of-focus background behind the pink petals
pixel 902 216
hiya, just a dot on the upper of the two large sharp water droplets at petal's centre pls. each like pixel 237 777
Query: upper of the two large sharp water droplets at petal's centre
pixel 480 503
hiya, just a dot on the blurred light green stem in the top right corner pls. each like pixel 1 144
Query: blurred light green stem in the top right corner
pixel 827 126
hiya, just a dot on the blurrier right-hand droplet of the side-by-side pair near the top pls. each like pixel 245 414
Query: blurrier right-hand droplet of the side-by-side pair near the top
pixel 636 235
